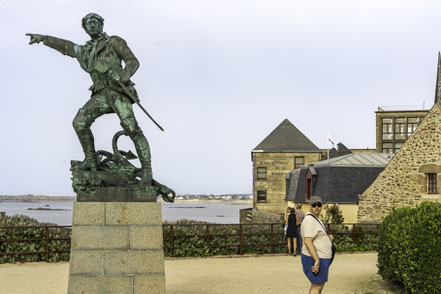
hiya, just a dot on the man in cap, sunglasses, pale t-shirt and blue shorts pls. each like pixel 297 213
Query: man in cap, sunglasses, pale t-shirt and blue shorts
pixel 317 247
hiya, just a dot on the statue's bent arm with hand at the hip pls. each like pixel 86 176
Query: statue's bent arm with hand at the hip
pixel 124 52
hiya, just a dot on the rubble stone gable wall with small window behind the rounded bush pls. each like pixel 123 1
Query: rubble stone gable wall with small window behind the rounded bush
pixel 412 176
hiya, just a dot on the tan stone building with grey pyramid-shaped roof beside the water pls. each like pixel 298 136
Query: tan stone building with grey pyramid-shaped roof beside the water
pixel 284 149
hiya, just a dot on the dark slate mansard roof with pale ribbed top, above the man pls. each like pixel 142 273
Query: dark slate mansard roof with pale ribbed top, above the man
pixel 339 180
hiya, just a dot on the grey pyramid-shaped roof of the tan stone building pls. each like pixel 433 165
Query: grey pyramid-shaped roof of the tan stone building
pixel 286 138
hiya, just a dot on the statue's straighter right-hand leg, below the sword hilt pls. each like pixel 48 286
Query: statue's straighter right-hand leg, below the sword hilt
pixel 124 110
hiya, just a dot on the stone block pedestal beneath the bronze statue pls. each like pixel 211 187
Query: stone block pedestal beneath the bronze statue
pixel 117 247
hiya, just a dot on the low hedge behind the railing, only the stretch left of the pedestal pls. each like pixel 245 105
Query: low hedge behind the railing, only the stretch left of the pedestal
pixel 27 232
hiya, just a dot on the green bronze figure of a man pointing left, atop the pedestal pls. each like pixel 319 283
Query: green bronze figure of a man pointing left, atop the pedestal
pixel 101 57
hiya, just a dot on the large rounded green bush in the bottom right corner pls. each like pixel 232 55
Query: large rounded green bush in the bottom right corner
pixel 409 248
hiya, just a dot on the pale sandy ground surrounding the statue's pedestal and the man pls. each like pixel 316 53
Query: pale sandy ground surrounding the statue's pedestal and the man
pixel 350 273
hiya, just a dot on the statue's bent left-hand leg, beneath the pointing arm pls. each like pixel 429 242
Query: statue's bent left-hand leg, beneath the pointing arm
pixel 84 118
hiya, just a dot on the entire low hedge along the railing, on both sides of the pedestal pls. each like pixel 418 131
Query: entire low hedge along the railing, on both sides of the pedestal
pixel 256 239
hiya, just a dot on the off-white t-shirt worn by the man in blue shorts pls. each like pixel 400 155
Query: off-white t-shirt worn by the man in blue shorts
pixel 312 229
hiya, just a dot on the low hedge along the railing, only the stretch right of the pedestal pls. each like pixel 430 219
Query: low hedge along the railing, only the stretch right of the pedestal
pixel 365 240
